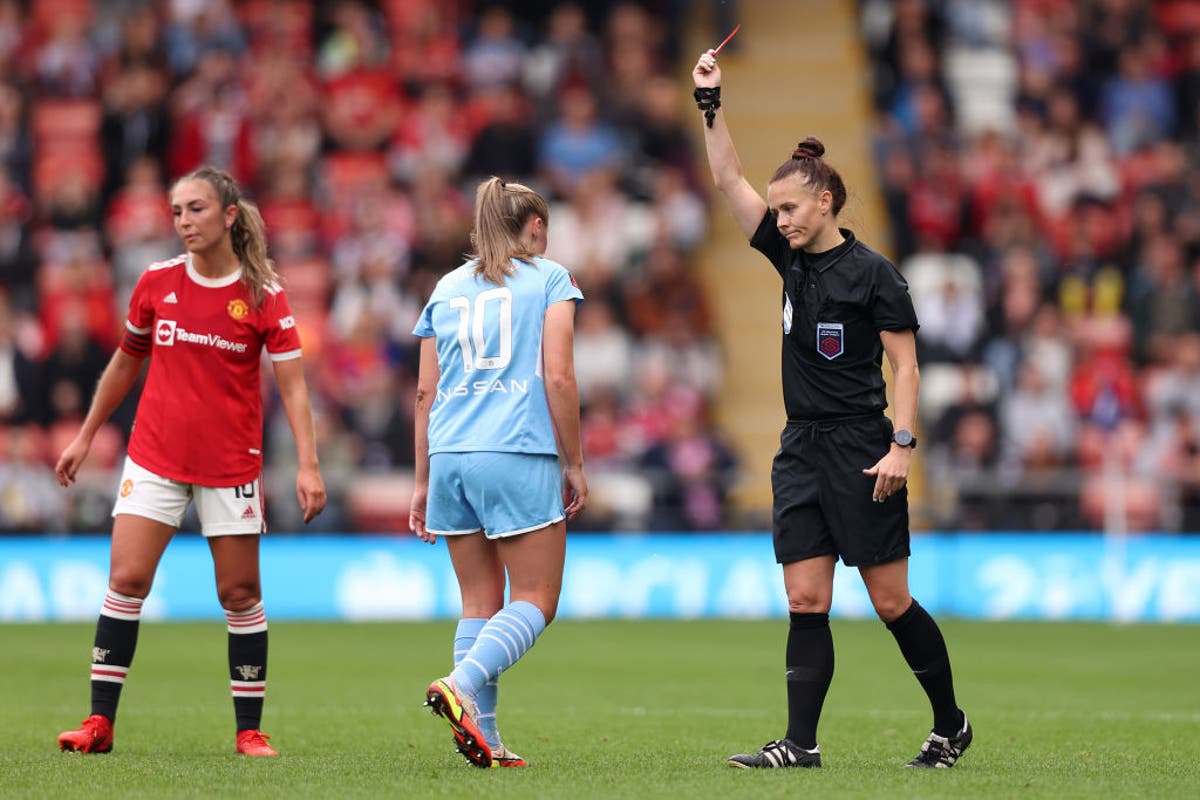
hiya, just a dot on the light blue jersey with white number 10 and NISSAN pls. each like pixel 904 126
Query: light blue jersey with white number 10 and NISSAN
pixel 491 394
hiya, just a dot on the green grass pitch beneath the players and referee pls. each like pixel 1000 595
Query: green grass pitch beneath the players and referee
pixel 614 711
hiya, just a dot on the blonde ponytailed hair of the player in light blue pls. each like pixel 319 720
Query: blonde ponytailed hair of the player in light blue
pixel 502 212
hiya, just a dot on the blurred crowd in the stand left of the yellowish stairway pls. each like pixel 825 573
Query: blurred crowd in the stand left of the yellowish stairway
pixel 359 129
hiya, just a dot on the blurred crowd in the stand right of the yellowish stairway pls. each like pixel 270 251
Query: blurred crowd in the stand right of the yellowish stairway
pixel 1041 165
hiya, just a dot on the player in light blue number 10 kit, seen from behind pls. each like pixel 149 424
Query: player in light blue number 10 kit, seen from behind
pixel 500 462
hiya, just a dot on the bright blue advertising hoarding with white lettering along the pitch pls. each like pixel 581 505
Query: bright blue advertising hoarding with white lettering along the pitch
pixel 975 576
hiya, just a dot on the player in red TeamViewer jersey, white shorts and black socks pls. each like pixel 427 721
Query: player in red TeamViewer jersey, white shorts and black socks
pixel 206 318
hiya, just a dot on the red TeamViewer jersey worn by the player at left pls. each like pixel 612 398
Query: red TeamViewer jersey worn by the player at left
pixel 201 416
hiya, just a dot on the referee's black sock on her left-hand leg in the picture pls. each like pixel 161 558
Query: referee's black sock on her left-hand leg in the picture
pixel 809 673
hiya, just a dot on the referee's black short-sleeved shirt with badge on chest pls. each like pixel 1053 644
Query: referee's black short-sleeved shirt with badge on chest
pixel 835 306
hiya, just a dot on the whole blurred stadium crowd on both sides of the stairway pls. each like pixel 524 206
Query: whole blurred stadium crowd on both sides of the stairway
pixel 1039 159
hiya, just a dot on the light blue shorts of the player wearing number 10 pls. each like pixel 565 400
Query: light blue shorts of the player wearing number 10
pixel 501 494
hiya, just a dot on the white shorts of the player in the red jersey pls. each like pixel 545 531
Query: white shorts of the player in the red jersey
pixel 223 512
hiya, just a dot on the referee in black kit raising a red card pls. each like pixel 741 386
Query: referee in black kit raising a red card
pixel 841 477
